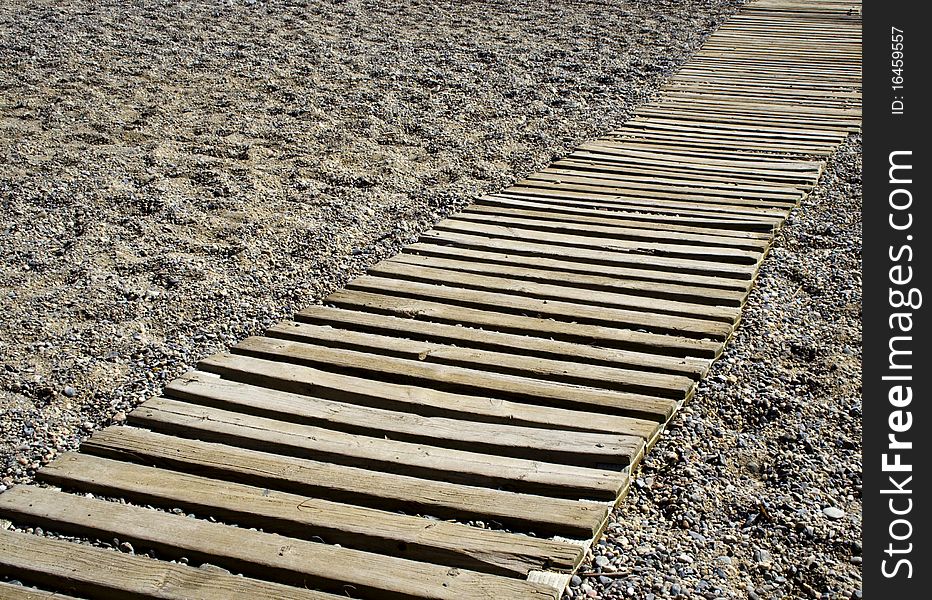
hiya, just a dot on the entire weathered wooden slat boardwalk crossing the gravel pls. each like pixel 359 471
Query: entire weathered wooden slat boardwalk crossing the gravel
pixel 459 422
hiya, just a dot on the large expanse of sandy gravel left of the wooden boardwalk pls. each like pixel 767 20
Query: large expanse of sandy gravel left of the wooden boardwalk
pixel 175 176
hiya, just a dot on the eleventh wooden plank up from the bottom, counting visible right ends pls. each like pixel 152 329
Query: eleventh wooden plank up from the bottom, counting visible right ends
pixel 566 311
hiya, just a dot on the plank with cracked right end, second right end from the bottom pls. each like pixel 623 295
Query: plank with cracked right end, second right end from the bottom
pixel 369 530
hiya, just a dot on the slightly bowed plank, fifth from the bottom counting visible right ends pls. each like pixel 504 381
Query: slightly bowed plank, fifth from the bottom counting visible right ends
pixel 565 447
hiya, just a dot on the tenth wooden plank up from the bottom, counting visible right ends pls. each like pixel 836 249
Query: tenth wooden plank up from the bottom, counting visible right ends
pixel 608 337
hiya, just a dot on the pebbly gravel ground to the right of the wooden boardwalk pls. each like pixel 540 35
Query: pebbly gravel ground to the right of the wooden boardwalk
pixel 754 491
